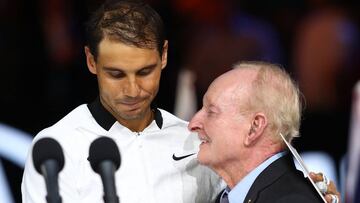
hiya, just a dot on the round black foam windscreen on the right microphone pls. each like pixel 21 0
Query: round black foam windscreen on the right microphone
pixel 103 148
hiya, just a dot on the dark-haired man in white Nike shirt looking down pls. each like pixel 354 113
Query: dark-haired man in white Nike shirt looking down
pixel 127 51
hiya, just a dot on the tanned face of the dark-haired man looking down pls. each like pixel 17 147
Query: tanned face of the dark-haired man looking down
pixel 128 79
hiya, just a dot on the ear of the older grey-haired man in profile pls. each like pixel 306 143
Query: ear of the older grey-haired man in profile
pixel 256 129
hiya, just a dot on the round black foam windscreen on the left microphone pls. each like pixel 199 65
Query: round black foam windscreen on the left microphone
pixel 46 149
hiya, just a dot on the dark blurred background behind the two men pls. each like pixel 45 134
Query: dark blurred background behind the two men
pixel 44 74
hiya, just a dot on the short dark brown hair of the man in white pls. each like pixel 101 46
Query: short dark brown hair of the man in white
pixel 132 22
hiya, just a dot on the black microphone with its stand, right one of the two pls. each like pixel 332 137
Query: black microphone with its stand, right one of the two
pixel 104 157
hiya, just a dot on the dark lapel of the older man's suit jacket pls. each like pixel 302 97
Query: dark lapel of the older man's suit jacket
pixel 273 172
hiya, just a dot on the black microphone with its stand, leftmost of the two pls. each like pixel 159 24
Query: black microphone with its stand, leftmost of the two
pixel 48 159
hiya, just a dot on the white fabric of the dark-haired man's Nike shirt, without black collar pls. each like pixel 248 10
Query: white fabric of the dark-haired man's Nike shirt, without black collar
pixel 147 173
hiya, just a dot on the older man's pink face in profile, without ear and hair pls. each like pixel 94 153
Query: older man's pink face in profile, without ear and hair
pixel 221 124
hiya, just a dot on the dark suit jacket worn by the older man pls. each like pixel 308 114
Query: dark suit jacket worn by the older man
pixel 281 182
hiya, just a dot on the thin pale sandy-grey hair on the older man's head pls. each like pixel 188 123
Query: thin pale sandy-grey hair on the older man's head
pixel 275 93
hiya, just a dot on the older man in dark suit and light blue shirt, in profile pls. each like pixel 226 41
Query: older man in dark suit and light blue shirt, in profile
pixel 245 112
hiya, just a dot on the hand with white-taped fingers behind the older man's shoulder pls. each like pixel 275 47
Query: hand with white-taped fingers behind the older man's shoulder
pixel 331 192
